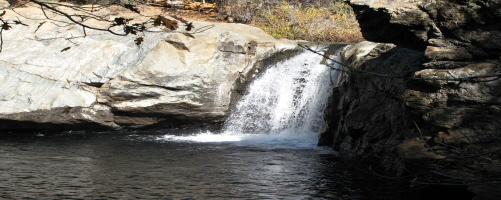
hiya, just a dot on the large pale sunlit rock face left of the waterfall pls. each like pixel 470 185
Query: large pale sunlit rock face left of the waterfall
pixel 58 76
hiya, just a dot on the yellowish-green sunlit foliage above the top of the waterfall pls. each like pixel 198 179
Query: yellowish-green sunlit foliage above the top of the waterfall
pixel 333 23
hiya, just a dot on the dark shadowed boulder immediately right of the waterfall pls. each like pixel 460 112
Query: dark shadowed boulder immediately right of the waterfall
pixel 370 114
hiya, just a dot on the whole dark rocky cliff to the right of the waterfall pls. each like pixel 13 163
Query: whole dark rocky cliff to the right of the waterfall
pixel 448 107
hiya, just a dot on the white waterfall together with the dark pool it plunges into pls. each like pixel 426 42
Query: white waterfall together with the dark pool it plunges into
pixel 267 150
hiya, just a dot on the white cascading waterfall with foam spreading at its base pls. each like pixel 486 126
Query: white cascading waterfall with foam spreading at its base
pixel 286 102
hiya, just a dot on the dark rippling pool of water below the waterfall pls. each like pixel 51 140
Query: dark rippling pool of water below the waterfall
pixel 149 166
